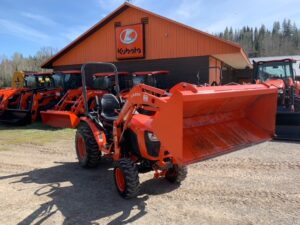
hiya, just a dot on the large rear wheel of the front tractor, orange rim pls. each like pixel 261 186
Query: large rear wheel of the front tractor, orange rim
pixel 87 150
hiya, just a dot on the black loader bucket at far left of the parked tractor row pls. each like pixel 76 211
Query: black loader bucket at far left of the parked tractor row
pixel 15 117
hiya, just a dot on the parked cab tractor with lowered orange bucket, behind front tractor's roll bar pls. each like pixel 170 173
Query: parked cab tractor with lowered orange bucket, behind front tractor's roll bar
pixel 67 111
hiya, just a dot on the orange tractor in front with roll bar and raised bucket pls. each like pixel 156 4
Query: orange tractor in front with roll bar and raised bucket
pixel 188 124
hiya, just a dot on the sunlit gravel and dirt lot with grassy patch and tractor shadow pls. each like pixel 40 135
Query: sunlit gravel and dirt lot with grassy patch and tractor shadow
pixel 41 183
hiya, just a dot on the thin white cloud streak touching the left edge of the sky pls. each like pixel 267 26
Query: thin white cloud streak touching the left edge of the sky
pixel 22 31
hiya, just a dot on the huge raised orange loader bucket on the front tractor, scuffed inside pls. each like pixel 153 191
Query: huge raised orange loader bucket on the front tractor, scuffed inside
pixel 202 122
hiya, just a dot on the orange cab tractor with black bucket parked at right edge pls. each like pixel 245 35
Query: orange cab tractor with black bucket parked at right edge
pixel 280 74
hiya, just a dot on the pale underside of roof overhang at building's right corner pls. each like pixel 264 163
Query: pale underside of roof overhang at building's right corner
pixel 237 60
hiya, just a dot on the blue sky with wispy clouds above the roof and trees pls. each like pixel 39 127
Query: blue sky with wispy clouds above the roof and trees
pixel 28 25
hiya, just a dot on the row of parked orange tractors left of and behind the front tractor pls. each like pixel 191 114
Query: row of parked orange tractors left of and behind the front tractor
pixel 57 97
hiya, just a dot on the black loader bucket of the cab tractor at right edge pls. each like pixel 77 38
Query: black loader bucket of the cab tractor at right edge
pixel 288 126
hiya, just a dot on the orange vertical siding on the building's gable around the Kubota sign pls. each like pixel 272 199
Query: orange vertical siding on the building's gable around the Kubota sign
pixel 163 39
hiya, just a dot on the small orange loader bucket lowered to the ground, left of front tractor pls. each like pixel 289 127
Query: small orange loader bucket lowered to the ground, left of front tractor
pixel 60 119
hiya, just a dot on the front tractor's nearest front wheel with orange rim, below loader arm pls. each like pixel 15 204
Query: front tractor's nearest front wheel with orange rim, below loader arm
pixel 126 178
